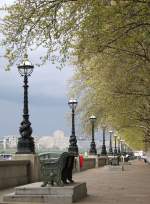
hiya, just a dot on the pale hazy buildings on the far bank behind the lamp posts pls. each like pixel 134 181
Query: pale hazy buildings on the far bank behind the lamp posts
pixel 56 141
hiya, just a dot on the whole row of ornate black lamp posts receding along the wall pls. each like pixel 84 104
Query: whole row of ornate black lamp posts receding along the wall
pixel 26 142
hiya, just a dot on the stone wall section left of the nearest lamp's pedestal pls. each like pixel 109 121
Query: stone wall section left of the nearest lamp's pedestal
pixel 13 173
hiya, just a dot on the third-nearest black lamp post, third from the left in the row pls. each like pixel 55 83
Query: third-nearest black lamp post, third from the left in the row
pixel 93 150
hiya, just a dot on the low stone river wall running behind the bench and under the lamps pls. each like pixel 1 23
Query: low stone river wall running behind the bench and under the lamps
pixel 24 169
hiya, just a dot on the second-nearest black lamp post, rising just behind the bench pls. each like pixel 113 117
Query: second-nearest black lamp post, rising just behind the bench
pixel 73 141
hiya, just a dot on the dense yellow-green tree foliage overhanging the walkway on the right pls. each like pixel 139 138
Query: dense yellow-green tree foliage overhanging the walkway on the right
pixel 112 78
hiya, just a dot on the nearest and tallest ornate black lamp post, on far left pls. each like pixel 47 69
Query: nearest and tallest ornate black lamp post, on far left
pixel 26 141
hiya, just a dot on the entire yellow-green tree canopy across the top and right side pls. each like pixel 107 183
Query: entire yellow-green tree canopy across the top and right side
pixel 108 43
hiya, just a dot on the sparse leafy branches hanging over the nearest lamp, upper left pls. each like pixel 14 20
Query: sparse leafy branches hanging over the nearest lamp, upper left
pixel 32 24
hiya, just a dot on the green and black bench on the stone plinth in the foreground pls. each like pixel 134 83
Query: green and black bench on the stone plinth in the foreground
pixel 56 169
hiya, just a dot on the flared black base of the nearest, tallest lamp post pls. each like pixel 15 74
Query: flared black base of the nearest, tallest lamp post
pixel 25 146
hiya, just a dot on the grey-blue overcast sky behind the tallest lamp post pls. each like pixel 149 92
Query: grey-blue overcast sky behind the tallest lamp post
pixel 47 97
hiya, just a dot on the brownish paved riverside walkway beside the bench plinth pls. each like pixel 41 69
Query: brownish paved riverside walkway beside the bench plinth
pixel 111 185
